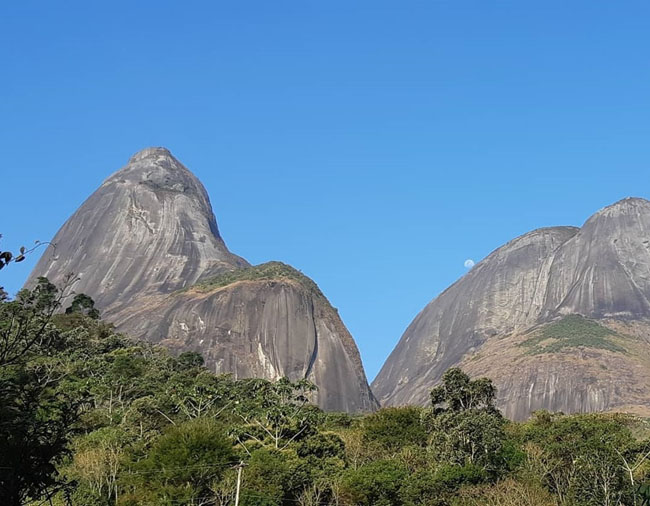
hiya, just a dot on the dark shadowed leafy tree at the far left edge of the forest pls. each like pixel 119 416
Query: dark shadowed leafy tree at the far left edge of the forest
pixel 37 415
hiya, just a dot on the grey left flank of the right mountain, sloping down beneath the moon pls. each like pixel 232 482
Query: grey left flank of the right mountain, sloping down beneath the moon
pixel 503 292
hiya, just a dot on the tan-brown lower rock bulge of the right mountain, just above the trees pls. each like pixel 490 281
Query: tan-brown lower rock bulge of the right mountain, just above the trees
pixel 571 373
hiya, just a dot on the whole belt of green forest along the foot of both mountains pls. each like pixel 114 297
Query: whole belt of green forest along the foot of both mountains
pixel 89 417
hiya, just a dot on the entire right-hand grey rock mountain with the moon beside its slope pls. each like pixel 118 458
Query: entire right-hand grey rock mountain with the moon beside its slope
pixel 559 318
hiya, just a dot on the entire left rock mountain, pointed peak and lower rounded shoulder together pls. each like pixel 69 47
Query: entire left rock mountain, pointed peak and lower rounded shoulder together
pixel 147 248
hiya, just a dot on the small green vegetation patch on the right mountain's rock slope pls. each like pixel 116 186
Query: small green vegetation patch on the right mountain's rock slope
pixel 572 331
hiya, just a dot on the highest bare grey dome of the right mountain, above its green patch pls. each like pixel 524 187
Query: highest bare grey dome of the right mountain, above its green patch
pixel 604 271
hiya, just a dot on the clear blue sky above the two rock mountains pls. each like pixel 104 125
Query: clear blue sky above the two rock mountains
pixel 374 145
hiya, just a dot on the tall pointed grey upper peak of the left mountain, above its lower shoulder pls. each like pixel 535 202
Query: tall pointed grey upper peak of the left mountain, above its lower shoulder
pixel 148 229
